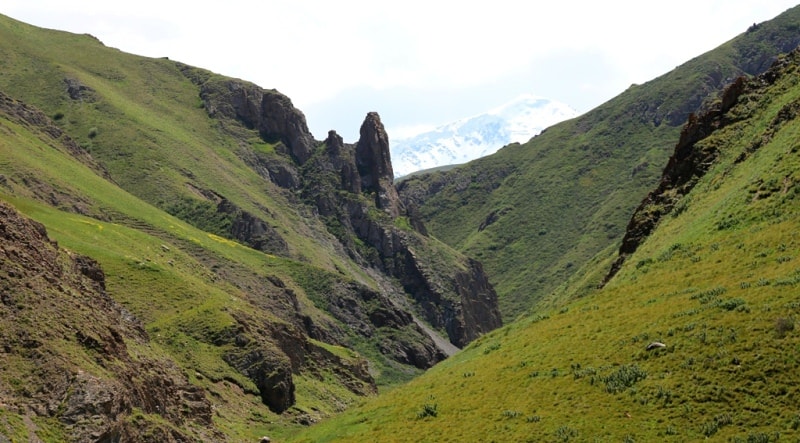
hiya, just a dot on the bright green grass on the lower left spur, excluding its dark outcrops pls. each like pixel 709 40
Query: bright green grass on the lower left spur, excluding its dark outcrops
pixel 166 272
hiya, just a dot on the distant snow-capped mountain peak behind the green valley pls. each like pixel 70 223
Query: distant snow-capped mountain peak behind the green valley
pixel 473 137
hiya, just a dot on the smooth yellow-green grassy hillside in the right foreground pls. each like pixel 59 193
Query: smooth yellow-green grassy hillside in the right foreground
pixel 716 283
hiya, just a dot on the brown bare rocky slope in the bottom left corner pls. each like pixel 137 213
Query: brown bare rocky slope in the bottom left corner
pixel 55 317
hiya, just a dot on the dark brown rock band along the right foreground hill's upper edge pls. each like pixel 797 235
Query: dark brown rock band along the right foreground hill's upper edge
pixel 690 162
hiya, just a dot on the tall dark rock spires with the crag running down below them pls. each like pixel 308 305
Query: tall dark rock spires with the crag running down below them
pixel 454 296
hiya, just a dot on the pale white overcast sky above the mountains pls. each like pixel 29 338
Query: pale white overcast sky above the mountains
pixel 418 63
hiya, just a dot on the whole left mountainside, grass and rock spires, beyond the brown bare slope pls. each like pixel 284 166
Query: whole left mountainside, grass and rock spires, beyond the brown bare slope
pixel 201 199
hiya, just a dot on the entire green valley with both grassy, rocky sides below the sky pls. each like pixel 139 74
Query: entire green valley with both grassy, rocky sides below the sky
pixel 181 260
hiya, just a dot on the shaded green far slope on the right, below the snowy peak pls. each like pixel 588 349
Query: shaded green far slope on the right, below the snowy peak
pixel 535 213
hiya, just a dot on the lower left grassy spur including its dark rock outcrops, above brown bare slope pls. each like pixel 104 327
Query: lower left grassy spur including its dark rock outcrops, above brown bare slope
pixel 232 317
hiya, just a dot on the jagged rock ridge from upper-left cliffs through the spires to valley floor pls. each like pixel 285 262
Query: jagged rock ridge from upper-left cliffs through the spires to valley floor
pixel 463 303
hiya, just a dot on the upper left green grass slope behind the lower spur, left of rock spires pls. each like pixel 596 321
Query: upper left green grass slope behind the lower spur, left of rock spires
pixel 143 119
